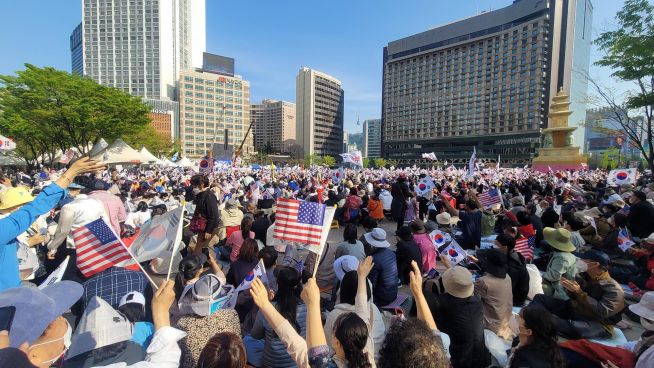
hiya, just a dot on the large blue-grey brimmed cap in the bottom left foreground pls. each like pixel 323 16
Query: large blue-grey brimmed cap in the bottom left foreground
pixel 36 309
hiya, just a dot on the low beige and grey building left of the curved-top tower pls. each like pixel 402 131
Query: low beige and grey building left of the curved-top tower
pixel 273 124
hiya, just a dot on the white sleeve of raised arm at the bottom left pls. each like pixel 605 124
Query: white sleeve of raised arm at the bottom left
pixel 163 352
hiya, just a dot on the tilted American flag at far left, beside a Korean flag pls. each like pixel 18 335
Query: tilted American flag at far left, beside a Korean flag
pixel 98 248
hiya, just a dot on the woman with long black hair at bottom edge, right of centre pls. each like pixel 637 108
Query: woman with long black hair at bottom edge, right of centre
pixel 537 346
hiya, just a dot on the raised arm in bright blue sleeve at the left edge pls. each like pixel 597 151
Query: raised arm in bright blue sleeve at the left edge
pixel 22 217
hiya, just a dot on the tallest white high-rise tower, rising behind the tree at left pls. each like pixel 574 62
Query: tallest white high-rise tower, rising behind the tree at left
pixel 139 46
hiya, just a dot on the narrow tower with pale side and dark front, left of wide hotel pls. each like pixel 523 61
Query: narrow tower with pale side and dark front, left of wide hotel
pixel 319 106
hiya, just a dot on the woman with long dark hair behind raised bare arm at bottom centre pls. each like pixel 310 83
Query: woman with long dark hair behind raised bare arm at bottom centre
pixel 287 302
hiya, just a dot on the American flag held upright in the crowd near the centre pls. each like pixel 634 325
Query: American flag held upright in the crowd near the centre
pixel 299 221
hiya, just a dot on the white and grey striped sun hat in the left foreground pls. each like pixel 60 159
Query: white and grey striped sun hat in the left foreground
pixel 205 296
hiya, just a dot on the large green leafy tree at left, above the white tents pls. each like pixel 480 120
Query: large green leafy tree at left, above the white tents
pixel 46 110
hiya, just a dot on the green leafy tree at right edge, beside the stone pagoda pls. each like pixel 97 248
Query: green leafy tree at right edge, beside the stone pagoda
pixel 629 52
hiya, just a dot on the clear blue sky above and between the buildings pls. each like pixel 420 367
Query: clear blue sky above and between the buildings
pixel 271 40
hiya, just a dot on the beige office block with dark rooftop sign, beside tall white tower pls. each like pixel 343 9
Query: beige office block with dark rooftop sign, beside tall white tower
pixel 213 107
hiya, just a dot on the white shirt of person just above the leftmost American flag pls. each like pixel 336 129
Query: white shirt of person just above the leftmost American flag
pixel 73 215
